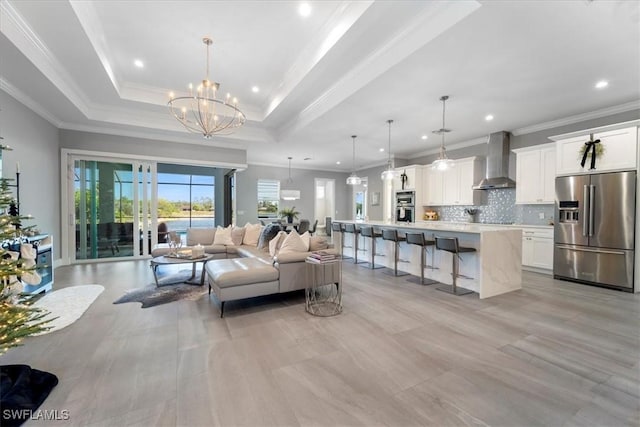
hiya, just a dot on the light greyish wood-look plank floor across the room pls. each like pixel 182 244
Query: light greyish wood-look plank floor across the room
pixel 553 354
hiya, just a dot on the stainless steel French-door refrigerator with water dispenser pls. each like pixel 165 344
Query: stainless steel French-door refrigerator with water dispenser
pixel 594 229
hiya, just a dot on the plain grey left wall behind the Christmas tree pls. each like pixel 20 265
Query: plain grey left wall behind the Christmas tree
pixel 35 146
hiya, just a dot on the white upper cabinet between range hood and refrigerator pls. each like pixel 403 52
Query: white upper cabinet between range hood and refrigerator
pixel 535 174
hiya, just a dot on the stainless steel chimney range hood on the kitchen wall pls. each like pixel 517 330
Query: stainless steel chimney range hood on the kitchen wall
pixel 497 175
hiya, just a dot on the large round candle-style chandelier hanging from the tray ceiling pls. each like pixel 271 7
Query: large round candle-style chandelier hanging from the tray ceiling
pixel 202 112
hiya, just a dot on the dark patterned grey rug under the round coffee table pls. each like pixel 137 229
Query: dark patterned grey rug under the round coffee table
pixel 152 295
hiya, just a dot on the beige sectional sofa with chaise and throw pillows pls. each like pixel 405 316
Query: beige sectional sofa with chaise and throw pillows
pixel 244 269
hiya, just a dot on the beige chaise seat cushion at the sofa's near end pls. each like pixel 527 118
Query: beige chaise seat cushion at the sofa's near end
pixel 240 271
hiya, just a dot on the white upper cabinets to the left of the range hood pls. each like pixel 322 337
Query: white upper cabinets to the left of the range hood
pixel 453 186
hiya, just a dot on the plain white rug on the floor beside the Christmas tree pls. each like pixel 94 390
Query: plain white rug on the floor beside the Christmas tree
pixel 66 305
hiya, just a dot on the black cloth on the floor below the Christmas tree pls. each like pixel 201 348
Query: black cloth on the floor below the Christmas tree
pixel 22 391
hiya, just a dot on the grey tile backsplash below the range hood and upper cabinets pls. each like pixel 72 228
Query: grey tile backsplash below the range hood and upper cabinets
pixel 501 208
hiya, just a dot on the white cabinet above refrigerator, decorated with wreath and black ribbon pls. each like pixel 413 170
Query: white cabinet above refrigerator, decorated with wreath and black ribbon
pixel 619 151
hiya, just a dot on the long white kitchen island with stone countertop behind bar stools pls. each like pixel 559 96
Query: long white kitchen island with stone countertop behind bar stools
pixel 493 269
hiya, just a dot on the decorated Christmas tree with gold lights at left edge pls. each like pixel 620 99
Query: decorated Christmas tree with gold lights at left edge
pixel 18 318
